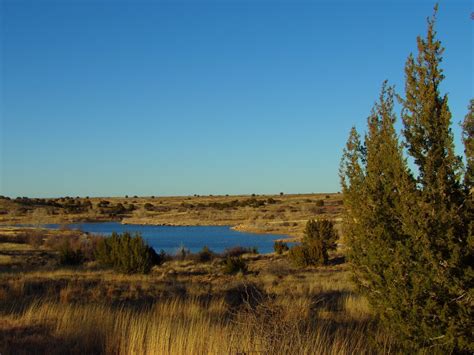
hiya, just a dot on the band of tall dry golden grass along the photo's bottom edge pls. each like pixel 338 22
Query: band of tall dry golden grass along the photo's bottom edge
pixel 190 326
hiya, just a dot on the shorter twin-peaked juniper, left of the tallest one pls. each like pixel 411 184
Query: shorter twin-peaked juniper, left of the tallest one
pixel 373 179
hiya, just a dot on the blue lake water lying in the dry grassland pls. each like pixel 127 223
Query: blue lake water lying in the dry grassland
pixel 170 238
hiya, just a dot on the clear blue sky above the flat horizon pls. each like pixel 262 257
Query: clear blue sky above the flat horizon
pixel 105 98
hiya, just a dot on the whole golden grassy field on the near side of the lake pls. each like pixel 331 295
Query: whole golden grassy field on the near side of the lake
pixel 181 307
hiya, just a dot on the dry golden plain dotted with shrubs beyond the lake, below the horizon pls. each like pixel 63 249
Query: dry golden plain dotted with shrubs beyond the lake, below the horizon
pixel 282 214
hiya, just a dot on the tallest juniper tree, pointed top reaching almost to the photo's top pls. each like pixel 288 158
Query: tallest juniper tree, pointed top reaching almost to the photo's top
pixel 437 288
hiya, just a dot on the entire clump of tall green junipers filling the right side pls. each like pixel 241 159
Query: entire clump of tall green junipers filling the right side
pixel 410 233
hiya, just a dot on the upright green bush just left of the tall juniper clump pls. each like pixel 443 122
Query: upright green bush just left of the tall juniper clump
pixel 320 237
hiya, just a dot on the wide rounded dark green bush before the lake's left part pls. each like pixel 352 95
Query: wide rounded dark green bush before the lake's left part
pixel 127 254
